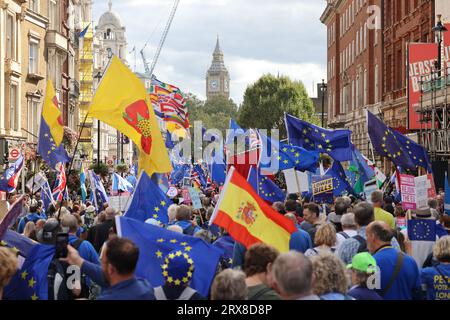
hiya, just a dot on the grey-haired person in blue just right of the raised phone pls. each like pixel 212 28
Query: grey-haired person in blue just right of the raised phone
pixel 84 248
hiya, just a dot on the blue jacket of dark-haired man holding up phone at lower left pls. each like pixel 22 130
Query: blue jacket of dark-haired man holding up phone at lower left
pixel 132 289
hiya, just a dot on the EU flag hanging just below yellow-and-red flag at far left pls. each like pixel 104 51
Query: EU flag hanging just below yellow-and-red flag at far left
pixel 47 148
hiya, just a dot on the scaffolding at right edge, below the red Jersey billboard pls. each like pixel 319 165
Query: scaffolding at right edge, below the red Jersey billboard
pixel 434 111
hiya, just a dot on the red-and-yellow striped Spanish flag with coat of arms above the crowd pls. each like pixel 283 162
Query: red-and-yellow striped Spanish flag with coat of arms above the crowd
pixel 248 218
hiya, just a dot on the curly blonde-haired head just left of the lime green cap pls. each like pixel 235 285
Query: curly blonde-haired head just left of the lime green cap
pixel 329 277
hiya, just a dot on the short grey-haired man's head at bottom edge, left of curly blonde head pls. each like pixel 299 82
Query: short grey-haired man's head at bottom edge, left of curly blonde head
pixel 292 276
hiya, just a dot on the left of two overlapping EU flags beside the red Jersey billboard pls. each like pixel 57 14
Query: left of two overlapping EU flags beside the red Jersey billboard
pixel 386 143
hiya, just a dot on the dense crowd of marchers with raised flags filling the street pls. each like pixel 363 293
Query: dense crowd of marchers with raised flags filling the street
pixel 220 228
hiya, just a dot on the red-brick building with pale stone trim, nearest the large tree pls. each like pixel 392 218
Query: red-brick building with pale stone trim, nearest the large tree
pixel 354 65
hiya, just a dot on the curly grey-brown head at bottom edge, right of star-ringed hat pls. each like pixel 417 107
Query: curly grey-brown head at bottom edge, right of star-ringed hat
pixel 229 285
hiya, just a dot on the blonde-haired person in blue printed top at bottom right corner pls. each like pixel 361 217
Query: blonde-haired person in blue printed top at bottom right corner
pixel 435 280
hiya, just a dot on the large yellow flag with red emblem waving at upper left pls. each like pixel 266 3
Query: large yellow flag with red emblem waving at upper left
pixel 122 102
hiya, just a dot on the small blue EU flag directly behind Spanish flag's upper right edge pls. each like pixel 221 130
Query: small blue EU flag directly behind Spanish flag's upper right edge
pixel 266 188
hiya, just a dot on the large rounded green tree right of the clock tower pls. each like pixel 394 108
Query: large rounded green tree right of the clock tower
pixel 266 101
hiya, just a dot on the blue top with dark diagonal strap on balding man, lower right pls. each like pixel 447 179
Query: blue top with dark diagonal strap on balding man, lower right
pixel 407 284
